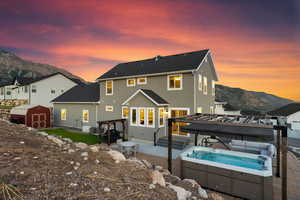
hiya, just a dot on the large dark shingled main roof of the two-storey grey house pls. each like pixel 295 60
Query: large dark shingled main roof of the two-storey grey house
pixel 160 64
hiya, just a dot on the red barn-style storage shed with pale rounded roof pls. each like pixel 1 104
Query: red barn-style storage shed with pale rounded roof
pixel 34 116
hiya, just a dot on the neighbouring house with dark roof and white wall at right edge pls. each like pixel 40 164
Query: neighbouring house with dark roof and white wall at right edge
pixel 291 112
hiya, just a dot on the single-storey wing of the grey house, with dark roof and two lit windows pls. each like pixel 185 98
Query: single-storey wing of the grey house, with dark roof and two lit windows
pixel 78 107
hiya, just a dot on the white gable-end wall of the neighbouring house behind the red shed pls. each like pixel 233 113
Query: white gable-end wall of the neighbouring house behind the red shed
pixel 43 95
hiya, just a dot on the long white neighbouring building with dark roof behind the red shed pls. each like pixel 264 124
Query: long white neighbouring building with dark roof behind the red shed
pixel 38 91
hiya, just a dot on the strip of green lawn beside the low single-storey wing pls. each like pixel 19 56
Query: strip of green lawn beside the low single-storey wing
pixel 74 136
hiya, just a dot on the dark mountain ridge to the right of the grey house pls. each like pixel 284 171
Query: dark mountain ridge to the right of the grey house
pixel 249 101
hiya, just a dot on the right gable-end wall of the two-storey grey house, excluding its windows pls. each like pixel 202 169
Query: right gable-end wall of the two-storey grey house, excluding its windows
pixel 202 100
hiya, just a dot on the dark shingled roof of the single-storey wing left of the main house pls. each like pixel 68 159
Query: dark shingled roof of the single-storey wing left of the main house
pixel 88 93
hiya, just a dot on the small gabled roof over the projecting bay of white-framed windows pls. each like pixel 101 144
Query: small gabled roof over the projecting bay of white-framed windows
pixel 152 96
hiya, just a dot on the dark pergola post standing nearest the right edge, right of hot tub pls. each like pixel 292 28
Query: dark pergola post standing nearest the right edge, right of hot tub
pixel 284 163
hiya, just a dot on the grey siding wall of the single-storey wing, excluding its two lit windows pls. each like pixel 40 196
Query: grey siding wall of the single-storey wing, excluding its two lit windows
pixel 74 114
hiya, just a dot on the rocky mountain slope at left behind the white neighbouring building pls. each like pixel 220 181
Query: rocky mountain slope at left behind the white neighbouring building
pixel 12 66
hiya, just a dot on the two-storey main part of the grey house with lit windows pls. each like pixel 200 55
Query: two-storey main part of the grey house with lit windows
pixel 146 92
